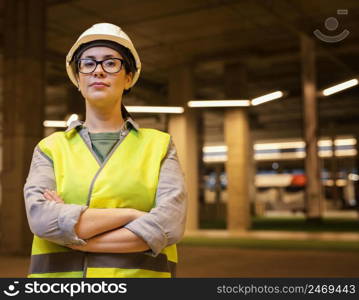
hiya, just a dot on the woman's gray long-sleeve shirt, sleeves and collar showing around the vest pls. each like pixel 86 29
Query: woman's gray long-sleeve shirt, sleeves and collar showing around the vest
pixel 161 227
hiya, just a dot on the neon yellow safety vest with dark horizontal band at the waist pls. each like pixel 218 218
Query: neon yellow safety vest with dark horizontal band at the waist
pixel 127 178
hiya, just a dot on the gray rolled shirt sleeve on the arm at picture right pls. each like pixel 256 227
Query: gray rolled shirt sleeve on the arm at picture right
pixel 164 225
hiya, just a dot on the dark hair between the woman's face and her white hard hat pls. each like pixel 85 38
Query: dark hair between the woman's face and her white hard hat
pixel 129 61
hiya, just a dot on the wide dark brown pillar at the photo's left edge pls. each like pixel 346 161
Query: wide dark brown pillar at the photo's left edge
pixel 23 107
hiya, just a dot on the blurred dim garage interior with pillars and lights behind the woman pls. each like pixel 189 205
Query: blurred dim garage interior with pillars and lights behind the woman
pixel 261 98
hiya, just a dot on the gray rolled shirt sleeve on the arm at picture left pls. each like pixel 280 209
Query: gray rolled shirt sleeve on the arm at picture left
pixel 47 219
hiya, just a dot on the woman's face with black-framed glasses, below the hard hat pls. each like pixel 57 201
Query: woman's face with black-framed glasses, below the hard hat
pixel 101 88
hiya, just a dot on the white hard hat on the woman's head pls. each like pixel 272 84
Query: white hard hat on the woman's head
pixel 102 31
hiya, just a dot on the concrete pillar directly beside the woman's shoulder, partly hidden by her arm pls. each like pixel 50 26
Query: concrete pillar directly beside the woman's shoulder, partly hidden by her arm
pixel 184 132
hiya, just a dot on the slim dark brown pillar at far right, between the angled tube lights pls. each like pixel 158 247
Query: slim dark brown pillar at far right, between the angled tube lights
pixel 310 116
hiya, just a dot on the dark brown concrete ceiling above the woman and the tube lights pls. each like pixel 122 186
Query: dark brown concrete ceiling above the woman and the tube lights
pixel 260 34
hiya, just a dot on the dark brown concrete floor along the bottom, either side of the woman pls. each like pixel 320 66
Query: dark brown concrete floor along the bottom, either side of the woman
pixel 234 262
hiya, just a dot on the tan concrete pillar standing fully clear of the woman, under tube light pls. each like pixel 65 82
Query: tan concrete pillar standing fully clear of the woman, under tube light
pixel 238 141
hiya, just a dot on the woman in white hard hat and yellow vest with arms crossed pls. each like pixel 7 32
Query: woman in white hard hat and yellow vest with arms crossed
pixel 105 198
